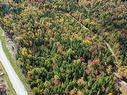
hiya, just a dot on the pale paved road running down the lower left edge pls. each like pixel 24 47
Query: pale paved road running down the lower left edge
pixel 16 82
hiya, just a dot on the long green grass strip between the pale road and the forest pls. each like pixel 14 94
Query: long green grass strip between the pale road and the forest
pixel 16 68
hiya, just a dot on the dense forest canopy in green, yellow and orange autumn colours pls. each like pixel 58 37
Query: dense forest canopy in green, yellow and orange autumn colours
pixel 69 47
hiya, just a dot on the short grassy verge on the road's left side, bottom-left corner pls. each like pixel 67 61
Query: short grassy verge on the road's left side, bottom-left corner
pixel 10 90
